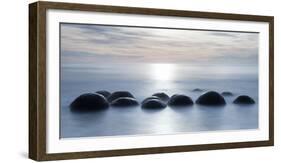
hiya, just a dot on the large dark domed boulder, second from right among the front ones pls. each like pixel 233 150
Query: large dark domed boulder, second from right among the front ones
pixel 211 98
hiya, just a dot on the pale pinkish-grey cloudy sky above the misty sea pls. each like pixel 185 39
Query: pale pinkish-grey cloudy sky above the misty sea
pixel 83 44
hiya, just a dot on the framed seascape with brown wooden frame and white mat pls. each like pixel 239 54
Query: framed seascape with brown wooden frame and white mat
pixel 113 81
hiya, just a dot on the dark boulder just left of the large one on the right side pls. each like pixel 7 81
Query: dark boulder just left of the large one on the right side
pixel 180 100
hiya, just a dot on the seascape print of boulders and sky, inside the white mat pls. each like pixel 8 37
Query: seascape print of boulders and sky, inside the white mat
pixel 133 80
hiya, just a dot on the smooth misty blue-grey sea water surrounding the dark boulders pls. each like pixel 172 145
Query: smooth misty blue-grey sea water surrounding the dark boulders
pixel 142 80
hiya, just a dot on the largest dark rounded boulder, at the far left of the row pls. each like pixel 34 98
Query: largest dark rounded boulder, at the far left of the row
pixel 89 101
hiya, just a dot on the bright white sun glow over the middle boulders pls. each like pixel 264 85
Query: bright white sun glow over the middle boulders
pixel 163 71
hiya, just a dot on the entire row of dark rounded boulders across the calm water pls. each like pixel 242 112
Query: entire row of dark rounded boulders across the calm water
pixel 103 99
